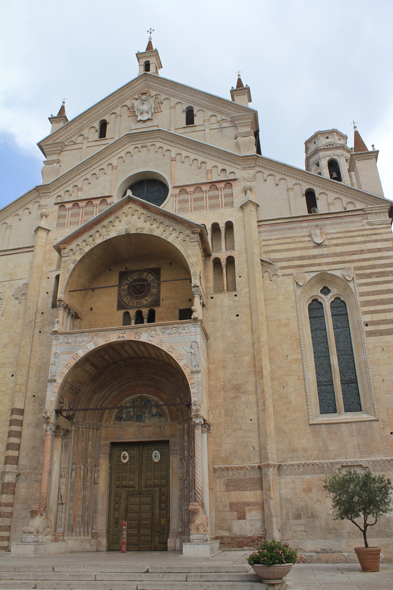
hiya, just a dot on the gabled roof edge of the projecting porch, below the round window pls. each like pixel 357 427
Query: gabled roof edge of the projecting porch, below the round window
pixel 166 216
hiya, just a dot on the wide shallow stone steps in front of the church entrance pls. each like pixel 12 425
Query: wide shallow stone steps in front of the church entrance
pixel 80 576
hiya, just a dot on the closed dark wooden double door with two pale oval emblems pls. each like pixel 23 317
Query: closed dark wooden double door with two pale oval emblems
pixel 139 494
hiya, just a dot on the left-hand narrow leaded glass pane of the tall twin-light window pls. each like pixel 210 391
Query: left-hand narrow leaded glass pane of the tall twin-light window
pixel 323 369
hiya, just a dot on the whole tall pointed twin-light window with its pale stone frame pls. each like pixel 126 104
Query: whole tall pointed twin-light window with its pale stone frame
pixel 337 375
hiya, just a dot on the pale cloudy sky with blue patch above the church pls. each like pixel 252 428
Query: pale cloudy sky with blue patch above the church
pixel 310 65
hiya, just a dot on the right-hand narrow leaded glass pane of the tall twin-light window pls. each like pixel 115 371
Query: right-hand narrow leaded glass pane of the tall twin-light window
pixel 346 361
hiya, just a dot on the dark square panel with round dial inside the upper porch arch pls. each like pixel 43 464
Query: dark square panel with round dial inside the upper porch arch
pixel 139 288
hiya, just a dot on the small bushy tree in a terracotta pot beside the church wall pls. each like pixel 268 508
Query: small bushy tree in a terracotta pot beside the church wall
pixel 361 497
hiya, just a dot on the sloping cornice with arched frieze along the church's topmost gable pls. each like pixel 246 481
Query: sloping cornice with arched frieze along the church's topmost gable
pixel 223 107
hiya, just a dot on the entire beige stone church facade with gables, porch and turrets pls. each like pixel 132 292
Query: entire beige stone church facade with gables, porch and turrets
pixel 193 335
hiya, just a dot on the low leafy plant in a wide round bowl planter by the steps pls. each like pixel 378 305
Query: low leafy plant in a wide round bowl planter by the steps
pixel 272 560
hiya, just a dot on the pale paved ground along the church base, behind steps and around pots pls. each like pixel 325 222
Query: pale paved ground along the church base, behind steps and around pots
pixel 303 576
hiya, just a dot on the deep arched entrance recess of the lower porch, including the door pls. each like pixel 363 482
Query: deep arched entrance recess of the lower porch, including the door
pixel 129 452
